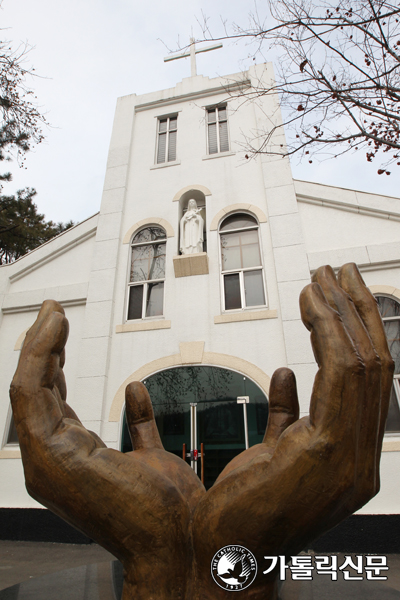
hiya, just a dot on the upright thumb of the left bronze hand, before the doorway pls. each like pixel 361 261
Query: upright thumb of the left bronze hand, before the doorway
pixel 140 417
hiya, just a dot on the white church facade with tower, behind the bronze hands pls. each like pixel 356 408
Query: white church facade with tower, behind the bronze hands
pixel 224 316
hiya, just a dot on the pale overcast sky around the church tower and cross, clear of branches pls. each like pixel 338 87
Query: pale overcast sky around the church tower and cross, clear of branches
pixel 89 52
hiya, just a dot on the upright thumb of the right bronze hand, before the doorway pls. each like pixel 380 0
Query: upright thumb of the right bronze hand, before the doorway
pixel 283 405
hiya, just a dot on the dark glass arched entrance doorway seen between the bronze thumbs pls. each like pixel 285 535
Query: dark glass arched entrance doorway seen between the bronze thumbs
pixel 199 404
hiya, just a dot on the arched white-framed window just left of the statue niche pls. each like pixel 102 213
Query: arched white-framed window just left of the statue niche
pixel 147 274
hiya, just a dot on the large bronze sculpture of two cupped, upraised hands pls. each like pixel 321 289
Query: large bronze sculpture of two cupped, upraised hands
pixel 149 508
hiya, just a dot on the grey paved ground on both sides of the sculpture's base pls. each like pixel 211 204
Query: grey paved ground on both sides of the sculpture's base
pixel 75 572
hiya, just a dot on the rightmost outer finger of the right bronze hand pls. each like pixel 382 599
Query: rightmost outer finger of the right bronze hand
pixel 352 282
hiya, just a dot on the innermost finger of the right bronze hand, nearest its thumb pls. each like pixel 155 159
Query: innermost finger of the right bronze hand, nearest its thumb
pixel 340 382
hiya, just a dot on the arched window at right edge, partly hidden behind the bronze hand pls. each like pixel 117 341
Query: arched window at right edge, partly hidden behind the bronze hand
pixel 390 313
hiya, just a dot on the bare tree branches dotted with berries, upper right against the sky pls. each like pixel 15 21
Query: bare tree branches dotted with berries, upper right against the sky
pixel 337 76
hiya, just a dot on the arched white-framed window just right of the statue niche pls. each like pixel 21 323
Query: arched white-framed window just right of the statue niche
pixel 241 263
